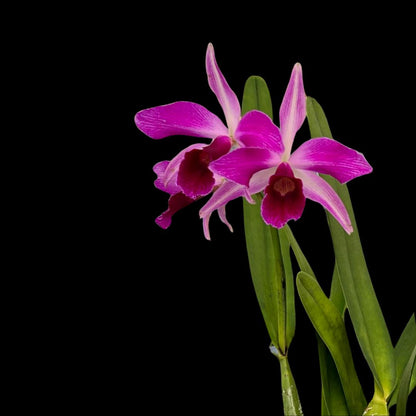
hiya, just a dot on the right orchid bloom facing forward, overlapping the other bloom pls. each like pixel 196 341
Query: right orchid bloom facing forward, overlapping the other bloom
pixel 287 178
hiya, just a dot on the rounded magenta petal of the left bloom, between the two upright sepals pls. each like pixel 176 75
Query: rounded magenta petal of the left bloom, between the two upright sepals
pixel 256 129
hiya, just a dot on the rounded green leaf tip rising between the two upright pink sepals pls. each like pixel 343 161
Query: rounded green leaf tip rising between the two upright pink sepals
pixel 256 96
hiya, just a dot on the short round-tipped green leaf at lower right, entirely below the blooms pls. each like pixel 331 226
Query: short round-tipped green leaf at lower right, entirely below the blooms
pixel 330 326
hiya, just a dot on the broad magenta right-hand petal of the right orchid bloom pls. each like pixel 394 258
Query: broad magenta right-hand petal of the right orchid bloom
pixel 328 156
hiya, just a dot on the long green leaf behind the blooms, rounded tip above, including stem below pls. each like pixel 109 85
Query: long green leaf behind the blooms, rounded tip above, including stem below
pixel 271 270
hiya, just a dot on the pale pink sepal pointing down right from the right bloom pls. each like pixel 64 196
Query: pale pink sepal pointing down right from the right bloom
pixel 318 190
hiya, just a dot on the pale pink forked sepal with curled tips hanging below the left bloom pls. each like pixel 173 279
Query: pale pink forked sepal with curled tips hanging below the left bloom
pixel 225 193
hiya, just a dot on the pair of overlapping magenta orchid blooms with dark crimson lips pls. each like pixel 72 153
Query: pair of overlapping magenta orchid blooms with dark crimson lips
pixel 247 156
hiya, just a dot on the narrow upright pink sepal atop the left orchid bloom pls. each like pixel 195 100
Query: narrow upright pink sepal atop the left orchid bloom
pixel 225 95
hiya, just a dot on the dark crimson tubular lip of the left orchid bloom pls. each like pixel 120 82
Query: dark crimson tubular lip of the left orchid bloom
pixel 194 175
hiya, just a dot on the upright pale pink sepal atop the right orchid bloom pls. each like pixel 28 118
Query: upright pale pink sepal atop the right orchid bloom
pixel 293 109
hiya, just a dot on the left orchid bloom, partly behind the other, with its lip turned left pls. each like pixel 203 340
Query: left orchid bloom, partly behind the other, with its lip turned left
pixel 188 176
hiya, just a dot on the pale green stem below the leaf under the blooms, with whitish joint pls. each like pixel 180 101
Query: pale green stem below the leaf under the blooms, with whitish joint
pixel 291 401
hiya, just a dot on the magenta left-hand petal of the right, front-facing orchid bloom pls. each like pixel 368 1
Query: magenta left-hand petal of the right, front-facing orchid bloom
pixel 240 164
